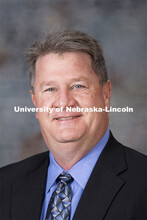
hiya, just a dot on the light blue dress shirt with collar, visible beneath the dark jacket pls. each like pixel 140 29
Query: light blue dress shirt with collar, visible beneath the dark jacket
pixel 80 172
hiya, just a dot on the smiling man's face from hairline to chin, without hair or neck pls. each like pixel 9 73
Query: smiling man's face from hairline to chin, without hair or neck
pixel 69 80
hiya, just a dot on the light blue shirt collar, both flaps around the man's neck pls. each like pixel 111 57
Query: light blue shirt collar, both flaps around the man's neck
pixel 84 166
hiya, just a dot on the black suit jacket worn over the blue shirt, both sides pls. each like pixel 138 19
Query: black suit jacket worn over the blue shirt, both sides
pixel 116 190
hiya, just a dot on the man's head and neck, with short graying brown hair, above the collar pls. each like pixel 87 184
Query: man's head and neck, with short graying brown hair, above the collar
pixel 69 71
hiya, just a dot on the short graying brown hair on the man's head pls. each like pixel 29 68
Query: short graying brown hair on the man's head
pixel 68 41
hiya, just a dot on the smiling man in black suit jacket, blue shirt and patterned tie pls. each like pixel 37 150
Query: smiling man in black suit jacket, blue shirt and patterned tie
pixel 86 174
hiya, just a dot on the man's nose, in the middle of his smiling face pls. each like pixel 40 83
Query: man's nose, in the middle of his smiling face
pixel 64 98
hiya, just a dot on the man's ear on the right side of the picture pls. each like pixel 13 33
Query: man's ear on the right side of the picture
pixel 106 90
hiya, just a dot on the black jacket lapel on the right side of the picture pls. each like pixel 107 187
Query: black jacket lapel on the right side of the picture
pixel 104 183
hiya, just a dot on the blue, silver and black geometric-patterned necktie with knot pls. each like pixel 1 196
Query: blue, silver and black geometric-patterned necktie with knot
pixel 60 202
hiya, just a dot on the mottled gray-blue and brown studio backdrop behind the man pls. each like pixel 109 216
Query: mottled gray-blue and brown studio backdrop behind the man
pixel 120 26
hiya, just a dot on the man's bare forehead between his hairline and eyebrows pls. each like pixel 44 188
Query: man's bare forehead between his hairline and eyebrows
pixel 64 67
